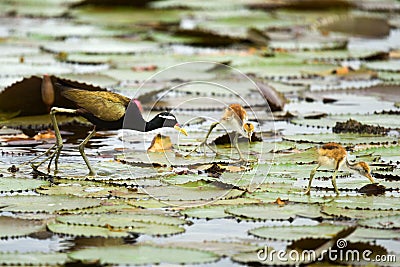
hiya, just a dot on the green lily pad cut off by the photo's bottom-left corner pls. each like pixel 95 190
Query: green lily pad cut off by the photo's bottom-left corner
pixel 33 259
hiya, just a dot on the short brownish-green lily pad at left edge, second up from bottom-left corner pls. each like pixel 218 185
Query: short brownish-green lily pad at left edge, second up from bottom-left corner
pixel 14 227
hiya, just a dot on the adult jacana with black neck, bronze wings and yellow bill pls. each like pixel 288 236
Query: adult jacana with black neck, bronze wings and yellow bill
pixel 106 111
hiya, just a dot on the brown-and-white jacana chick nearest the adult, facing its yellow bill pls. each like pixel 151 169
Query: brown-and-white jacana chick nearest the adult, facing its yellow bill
pixel 233 119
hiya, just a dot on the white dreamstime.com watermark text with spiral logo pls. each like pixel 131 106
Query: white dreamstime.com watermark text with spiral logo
pixel 340 253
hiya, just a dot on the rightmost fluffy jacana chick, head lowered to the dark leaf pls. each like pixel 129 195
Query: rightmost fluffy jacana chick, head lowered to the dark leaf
pixel 334 155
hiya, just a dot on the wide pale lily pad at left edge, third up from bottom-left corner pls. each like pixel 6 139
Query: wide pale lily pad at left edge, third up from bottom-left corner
pixel 47 204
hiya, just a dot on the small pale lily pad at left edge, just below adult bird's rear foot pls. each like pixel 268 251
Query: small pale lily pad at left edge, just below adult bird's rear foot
pixel 11 184
